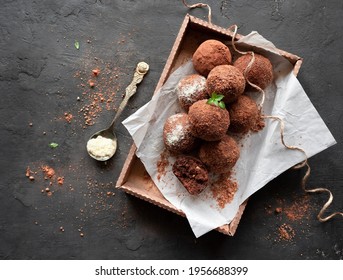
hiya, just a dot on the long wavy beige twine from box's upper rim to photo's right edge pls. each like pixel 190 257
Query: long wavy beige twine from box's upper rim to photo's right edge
pixel 282 128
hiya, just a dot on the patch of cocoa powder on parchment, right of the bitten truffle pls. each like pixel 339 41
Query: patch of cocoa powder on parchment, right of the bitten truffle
pixel 224 189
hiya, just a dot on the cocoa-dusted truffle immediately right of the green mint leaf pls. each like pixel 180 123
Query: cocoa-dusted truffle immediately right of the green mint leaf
pixel 244 114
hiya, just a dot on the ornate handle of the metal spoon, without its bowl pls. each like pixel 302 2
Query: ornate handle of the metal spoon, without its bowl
pixel 141 69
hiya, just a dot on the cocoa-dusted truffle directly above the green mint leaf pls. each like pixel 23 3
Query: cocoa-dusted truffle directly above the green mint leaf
pixel 226 80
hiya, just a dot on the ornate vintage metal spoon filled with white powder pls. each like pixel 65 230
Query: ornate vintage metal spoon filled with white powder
pixel 102 145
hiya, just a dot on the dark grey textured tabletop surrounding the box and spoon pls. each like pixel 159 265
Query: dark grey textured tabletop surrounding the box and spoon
pixel 40 80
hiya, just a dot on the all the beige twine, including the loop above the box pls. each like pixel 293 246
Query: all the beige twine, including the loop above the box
pixel 234 29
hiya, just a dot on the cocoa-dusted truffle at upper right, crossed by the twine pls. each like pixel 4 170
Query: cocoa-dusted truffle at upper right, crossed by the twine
pixel 261 71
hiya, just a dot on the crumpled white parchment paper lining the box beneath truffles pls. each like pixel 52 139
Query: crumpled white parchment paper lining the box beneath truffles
pixel 262 157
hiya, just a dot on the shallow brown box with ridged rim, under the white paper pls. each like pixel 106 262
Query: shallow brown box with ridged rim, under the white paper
pixel 133 178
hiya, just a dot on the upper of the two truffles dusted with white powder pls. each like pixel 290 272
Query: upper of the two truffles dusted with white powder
pixel 190 89
